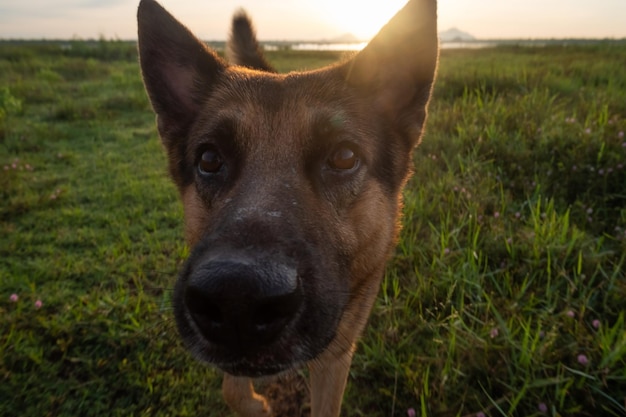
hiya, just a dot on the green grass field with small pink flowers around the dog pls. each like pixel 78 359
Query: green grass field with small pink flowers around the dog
pixel 506 295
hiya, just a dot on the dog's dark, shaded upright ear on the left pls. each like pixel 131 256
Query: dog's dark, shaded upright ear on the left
pixel 178 69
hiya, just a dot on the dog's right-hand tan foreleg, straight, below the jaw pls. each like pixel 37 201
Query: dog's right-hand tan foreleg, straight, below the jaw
pixel 328 377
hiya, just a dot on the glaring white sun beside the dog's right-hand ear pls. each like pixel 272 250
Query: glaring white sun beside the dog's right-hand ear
pixel 362 19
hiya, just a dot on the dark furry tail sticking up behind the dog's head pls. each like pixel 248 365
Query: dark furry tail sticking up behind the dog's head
pixel 243 47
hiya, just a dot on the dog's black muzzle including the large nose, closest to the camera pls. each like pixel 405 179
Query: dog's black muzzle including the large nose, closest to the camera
pixel 258 303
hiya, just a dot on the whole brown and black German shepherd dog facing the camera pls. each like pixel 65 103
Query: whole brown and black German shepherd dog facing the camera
pixel 291 186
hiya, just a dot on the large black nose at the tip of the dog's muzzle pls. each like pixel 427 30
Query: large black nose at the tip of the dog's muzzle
pixel 242 304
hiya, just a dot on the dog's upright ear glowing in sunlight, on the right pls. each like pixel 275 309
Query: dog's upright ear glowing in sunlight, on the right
pixel 396 70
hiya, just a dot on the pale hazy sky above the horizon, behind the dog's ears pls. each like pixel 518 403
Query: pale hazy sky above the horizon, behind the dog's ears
pixel 316 19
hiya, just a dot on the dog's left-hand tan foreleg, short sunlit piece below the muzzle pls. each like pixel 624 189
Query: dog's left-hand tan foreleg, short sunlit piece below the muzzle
pixel 241 398
